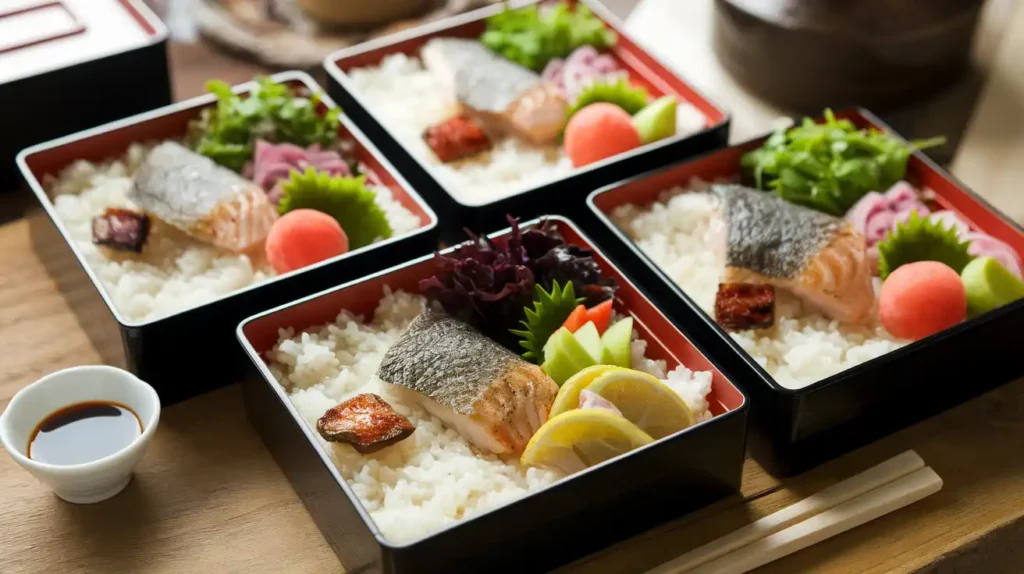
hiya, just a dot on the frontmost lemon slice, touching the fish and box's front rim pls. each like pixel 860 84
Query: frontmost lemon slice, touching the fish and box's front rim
pixel 578 439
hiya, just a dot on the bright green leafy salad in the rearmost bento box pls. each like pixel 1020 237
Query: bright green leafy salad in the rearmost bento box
pixel 533 36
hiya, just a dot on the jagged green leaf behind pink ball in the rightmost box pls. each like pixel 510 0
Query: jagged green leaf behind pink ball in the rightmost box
pixel 922 240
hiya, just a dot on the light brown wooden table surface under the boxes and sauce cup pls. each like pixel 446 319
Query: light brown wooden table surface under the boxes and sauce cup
pixel 208 498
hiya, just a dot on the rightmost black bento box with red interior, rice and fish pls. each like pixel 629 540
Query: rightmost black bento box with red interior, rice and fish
pixel 821 385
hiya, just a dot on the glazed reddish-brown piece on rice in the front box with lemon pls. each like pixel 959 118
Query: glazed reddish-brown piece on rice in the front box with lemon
pixel 366 422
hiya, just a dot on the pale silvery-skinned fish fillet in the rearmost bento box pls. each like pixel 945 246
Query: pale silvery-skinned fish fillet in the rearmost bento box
pixel 502 96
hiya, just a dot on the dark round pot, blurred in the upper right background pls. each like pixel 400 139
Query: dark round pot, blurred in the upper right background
pixel 806 55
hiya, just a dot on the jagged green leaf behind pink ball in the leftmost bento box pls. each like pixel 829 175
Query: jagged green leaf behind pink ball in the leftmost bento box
pixel 346 199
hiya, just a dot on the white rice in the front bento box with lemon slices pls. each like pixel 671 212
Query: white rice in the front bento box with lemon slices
pixel 434 478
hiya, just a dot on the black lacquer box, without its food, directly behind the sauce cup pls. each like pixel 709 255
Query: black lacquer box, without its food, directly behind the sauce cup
pixel 192 351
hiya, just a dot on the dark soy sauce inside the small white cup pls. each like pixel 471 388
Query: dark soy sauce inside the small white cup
pixel 84 432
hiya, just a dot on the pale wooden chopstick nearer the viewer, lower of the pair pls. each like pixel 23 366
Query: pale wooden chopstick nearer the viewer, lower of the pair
pixel 849 515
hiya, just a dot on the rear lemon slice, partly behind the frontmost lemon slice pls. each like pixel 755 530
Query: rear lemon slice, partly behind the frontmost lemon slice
pixel 646 402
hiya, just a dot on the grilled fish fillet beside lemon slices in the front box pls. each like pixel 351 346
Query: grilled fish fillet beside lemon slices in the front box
pixel 489 395
